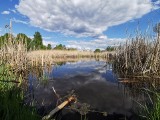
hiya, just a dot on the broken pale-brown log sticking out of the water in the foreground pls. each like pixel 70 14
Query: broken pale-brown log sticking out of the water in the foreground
pixel 62 105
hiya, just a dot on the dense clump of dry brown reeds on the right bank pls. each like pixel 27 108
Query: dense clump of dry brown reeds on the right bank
pixel 139 56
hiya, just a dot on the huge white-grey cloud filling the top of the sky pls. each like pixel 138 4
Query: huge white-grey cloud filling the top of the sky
pixel 82 17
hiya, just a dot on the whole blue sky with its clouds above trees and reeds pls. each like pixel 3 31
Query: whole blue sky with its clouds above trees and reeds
pixel 81 24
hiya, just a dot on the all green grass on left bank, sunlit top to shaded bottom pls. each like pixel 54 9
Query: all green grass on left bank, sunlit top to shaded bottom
pixel 12 105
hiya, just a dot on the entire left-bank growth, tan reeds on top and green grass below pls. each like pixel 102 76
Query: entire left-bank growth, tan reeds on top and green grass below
pixel 13 64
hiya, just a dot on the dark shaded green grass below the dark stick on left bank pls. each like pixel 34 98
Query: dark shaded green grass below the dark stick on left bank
pixel 13 108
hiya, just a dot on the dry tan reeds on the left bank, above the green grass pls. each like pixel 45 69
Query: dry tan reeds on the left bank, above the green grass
pixel 14 54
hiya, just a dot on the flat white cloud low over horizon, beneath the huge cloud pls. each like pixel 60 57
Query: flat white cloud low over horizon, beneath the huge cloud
pixel 93 44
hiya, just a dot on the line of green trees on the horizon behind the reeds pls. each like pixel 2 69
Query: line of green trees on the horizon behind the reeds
pixel 37 42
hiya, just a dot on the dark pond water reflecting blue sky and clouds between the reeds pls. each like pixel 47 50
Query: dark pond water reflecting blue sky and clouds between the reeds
pixel 93 82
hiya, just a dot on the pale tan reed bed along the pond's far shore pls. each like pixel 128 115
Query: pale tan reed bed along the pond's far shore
pixel 42 57
